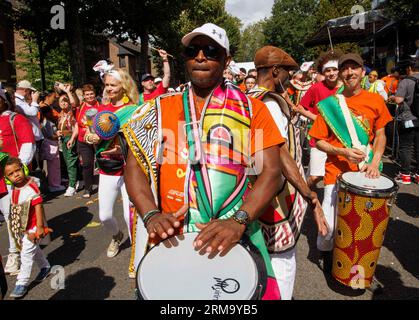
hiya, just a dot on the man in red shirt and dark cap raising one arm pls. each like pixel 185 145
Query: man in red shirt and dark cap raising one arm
pixel 151 90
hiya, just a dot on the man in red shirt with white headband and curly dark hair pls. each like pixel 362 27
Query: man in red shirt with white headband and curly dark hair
pixel 328 66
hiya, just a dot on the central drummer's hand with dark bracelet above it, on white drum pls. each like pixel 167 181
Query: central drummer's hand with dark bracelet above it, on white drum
pixel 163 224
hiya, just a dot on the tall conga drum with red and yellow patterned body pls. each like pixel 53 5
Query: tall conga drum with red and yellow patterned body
pixel 363 213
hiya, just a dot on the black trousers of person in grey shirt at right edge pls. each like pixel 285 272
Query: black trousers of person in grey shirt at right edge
pixel 408 141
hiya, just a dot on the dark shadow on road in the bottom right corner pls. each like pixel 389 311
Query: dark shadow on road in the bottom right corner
pixel 393 286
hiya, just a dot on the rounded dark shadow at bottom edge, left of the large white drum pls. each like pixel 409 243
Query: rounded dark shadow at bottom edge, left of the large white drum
pixel 87 284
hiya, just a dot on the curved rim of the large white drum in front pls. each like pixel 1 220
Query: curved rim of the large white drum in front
pixel 261 274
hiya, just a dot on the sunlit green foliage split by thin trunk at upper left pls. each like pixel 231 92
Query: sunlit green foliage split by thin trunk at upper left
pixel 57 66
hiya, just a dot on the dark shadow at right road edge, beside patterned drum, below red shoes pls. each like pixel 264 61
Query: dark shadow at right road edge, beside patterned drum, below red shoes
pixel 401 238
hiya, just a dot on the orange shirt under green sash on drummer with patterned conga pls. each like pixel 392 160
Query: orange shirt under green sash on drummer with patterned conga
pixel 371 109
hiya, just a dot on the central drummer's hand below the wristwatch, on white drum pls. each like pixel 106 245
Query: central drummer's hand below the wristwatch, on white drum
pixel 219 235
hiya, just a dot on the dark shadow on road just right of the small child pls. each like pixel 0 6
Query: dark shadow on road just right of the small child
pixel 66 226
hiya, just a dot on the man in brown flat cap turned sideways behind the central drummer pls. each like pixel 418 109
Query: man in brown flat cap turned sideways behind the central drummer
pixel 281 223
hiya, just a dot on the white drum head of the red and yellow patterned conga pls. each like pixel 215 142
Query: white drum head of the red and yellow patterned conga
pixel 359 180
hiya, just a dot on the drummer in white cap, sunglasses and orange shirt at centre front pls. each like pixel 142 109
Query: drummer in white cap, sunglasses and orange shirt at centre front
pixel 192 174
